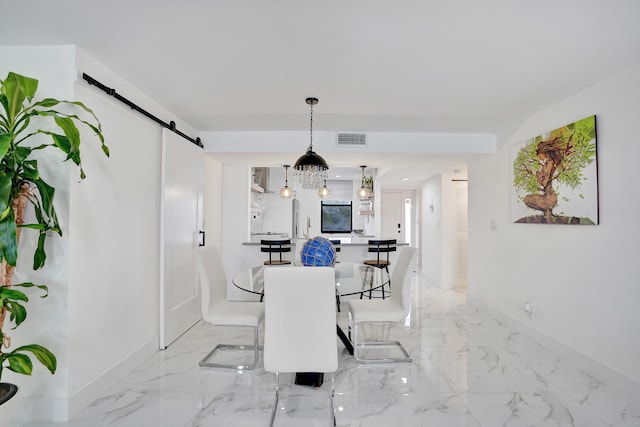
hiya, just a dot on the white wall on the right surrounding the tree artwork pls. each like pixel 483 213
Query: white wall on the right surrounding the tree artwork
pixel 581 280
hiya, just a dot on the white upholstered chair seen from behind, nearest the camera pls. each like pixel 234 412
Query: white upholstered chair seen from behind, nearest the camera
pixel 300 323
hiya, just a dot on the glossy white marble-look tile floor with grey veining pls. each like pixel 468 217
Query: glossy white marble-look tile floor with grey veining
pixel 469 369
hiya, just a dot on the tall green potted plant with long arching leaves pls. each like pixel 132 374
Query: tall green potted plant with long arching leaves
pixel 27 127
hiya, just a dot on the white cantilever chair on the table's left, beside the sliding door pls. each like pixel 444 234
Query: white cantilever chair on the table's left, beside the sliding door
pixel 218 311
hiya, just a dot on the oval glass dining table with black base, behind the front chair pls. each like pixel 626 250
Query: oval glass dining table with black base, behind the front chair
pixel 351 279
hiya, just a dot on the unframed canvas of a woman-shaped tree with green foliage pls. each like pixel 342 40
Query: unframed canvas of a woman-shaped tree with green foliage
pixel 555 176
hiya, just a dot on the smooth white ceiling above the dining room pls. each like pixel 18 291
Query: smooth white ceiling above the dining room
pixel 376 66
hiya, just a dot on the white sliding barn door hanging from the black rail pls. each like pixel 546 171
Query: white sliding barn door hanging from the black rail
pixel 181 222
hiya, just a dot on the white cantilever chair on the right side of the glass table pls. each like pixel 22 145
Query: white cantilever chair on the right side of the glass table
pixel 393 309
